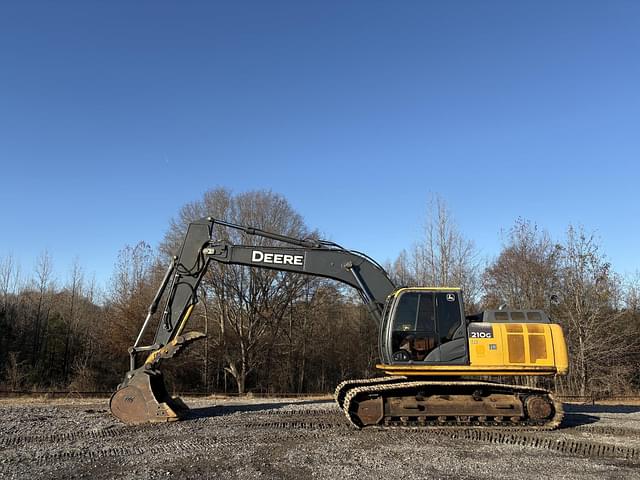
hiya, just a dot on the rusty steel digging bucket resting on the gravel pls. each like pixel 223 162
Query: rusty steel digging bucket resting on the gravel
pixel 143 398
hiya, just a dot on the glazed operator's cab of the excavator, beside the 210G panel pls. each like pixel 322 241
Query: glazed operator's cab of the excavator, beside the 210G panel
pixel 425 325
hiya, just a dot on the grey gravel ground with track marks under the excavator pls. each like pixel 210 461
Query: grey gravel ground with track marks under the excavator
pixel 292 439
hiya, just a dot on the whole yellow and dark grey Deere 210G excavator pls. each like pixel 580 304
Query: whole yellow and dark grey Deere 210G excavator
pixel 442 368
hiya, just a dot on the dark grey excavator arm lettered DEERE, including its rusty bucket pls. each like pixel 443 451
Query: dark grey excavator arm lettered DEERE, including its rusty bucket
pixel 142 396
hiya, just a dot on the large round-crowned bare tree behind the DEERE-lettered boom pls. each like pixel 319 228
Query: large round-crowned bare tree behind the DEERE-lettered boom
pixel 249 303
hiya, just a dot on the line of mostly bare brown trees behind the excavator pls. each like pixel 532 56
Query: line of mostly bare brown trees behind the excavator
pixel 272 332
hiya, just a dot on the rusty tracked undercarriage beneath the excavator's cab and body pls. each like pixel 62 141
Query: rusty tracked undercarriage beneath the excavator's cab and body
pixel 396 402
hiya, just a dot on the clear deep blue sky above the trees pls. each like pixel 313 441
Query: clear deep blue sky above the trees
pixel 115 114
